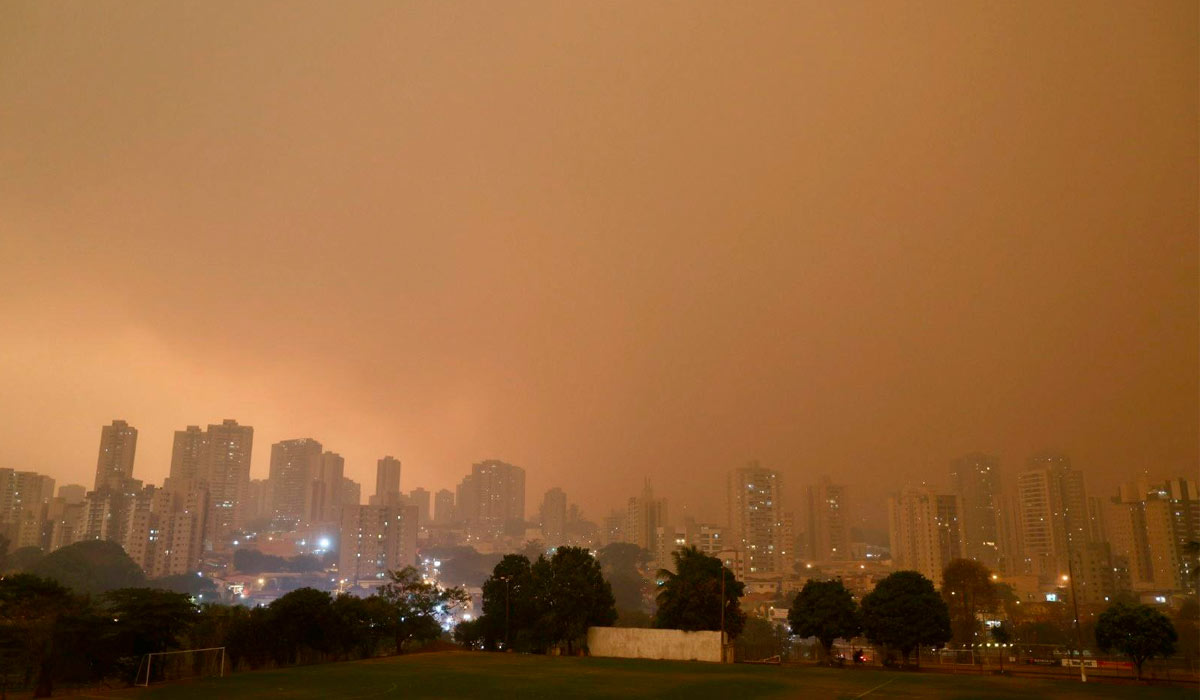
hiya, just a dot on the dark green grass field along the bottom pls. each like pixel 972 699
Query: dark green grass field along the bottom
pixel 483 675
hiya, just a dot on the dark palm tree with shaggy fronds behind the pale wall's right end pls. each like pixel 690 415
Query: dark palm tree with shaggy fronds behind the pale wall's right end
pixel 691 599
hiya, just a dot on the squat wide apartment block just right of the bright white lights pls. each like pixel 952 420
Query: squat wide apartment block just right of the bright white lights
pixel 376 540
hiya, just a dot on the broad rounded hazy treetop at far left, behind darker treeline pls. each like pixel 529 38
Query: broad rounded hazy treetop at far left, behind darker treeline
pixel 91 567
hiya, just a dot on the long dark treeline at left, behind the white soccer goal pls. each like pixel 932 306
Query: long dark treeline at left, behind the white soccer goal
pixel 51 635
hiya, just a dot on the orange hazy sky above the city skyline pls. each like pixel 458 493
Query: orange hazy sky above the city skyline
pixel 604 241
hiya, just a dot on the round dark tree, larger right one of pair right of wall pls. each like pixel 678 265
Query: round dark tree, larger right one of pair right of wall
pixel 905 612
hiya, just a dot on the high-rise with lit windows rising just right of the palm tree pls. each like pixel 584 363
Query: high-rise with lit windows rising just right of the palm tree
pixel 755 518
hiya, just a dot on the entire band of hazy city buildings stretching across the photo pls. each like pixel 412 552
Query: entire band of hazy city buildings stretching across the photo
pixel 1040 531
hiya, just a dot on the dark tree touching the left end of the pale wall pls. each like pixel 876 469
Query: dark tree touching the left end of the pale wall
pixel 573 596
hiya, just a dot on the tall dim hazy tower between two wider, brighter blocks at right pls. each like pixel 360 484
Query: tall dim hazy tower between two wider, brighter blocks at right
pixel 975 478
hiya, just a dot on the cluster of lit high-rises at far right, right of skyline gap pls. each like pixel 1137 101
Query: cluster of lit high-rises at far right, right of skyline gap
pixel 1043 535
